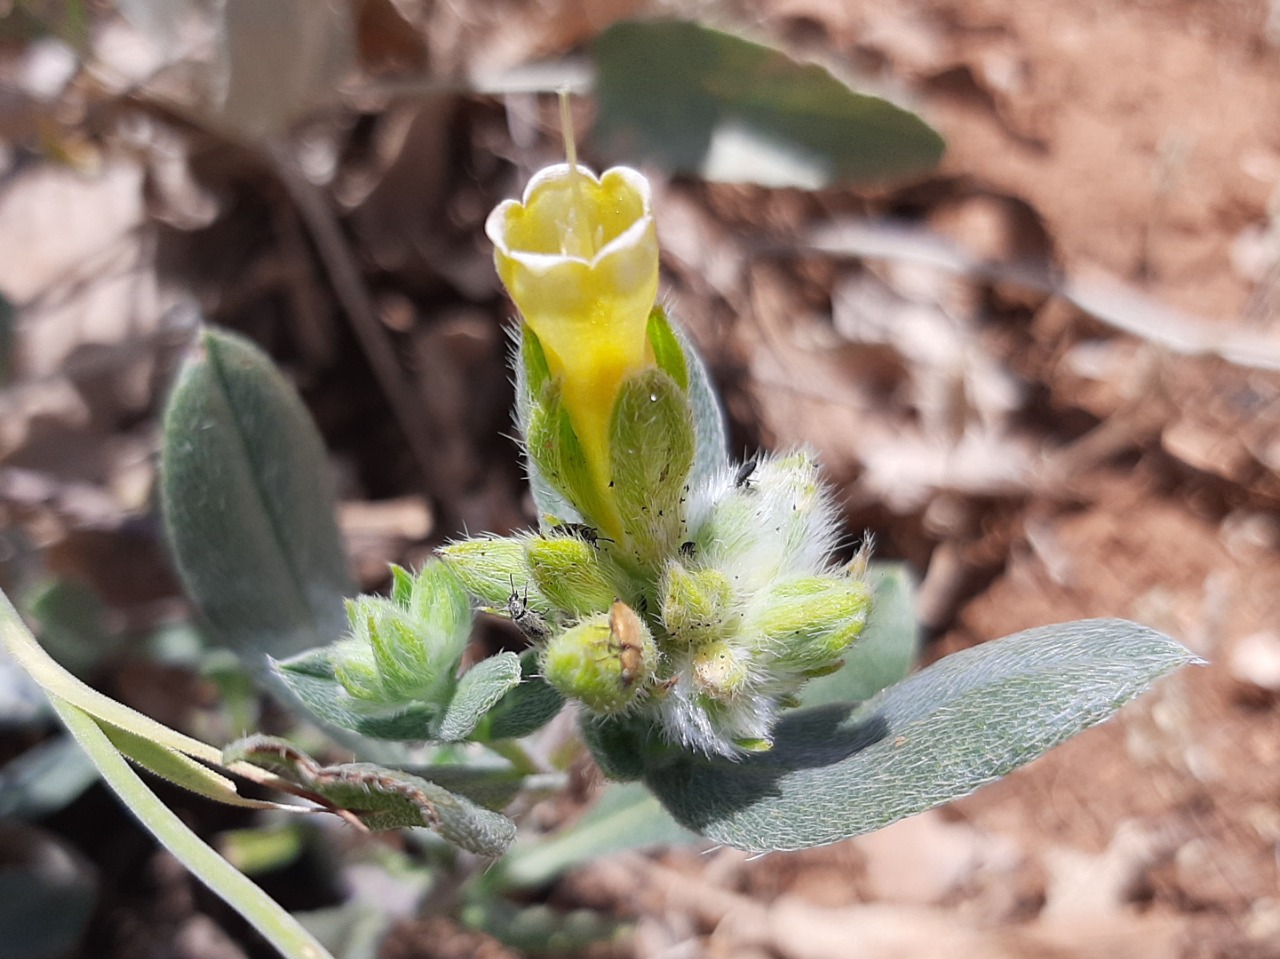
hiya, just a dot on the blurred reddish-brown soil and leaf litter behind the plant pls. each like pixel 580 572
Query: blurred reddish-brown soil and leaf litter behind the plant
pixel 1046 375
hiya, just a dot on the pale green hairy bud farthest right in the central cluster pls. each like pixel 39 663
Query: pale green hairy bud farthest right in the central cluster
pixel 811 622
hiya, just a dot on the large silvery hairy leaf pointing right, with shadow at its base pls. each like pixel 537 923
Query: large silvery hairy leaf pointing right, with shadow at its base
pixel 839 771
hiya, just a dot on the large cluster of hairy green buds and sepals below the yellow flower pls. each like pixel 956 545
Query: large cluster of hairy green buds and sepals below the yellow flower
pixel 700 600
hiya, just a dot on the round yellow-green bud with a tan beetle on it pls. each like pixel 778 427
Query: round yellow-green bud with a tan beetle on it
pixel 606 661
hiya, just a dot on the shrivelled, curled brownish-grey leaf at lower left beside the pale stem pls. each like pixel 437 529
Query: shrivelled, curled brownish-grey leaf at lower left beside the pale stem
pixel 382 798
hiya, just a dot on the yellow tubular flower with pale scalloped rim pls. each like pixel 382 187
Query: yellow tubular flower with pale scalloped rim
pixel 579 257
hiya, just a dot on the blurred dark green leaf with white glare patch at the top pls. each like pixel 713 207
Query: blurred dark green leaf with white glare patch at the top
pixel 701 102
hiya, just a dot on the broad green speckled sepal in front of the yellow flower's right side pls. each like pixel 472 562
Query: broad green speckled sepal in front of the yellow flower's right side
pixel 651 453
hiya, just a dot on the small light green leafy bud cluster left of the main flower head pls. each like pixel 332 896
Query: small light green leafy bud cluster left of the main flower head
pixel 405 649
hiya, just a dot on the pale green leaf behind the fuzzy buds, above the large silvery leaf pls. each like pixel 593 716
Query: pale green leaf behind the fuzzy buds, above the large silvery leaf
pixel 888 649
